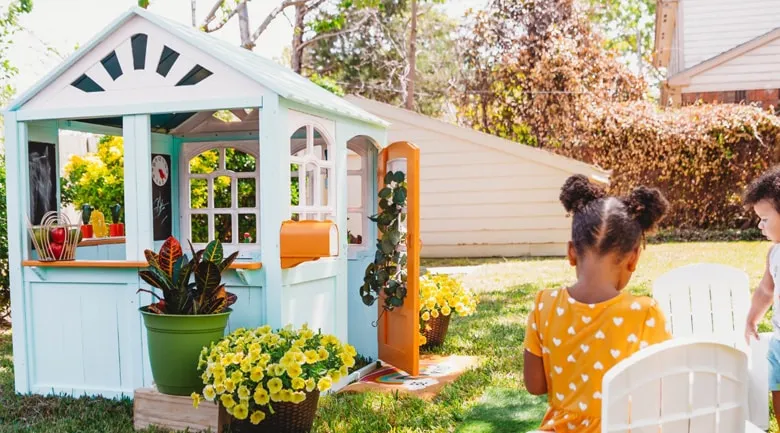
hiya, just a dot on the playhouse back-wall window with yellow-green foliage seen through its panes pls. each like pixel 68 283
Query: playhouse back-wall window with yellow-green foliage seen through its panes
pixel 221 198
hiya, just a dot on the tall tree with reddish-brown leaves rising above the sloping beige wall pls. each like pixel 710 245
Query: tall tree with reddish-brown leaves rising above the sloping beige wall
pixel 533 68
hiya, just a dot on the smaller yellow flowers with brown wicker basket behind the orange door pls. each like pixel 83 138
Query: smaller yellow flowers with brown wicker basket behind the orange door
pixel 441 296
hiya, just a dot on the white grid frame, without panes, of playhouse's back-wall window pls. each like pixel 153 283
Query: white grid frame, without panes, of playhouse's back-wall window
pixel 191 150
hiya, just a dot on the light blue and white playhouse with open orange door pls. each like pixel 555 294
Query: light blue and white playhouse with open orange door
pixel 195 112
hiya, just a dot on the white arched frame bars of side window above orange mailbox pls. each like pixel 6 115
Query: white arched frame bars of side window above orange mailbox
pixel 319 211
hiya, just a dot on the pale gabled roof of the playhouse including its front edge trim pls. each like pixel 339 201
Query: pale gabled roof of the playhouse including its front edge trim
pixel 286 83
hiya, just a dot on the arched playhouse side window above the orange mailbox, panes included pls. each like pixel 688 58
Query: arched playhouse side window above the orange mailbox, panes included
pixel 312 180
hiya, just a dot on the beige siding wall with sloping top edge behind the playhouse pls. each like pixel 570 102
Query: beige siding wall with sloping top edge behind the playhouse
pixel 479 201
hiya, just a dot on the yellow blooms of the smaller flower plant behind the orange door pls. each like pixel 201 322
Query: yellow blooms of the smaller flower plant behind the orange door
pixel 443 295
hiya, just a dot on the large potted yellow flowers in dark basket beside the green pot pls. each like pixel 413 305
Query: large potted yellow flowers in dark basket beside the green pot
pixel 270 381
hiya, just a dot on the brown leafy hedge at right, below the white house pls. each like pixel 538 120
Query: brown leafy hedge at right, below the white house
pixel 700 156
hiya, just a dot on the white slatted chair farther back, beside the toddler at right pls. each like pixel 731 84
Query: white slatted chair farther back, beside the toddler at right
pixel 711 302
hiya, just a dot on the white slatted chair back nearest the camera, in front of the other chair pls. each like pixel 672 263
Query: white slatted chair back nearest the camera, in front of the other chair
pixel 679 386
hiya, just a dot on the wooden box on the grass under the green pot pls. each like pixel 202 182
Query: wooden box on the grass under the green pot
pixel 152 408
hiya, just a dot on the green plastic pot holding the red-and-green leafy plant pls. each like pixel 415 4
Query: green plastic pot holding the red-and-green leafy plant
pixel 175 343
